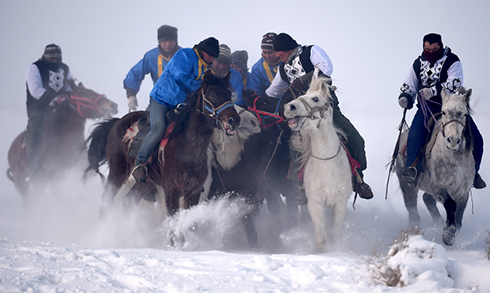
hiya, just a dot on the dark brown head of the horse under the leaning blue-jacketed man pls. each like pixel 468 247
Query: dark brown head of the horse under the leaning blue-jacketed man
pixel 215 102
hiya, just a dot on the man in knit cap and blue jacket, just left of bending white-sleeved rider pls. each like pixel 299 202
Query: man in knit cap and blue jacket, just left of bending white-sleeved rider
pixel 265 69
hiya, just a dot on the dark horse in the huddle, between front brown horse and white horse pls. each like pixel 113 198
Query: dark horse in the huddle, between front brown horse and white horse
pixel 263 170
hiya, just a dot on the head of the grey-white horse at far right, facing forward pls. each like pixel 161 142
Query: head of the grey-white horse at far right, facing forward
pixel 455 114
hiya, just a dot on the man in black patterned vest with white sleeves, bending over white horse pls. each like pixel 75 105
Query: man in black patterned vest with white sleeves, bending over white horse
pixel 299 63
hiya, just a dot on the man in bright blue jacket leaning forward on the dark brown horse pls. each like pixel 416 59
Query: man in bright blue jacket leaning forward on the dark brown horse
pixel 181 76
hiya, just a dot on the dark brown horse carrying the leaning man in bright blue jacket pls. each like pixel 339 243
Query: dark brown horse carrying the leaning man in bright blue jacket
pixel 182 168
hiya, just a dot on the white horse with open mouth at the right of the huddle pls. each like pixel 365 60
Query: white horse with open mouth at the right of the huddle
pixel 327 172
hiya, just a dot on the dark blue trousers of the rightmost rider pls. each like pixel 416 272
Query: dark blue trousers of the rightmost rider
pixel 418 135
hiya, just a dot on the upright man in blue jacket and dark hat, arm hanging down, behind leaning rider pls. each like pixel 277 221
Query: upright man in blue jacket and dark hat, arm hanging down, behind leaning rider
pixel 153 62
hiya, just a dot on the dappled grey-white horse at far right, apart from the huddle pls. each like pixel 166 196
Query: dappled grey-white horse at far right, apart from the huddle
pixel 449 167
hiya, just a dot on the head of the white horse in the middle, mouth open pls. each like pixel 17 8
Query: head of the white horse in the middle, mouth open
pixel 314 104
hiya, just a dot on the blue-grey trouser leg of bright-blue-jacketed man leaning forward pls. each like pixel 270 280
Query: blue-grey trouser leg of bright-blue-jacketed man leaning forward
pixel 158 126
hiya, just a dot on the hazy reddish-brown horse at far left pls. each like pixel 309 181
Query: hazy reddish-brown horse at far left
pixel 63 134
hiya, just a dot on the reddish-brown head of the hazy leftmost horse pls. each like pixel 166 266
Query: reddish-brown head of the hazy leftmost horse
pixel 92 105
